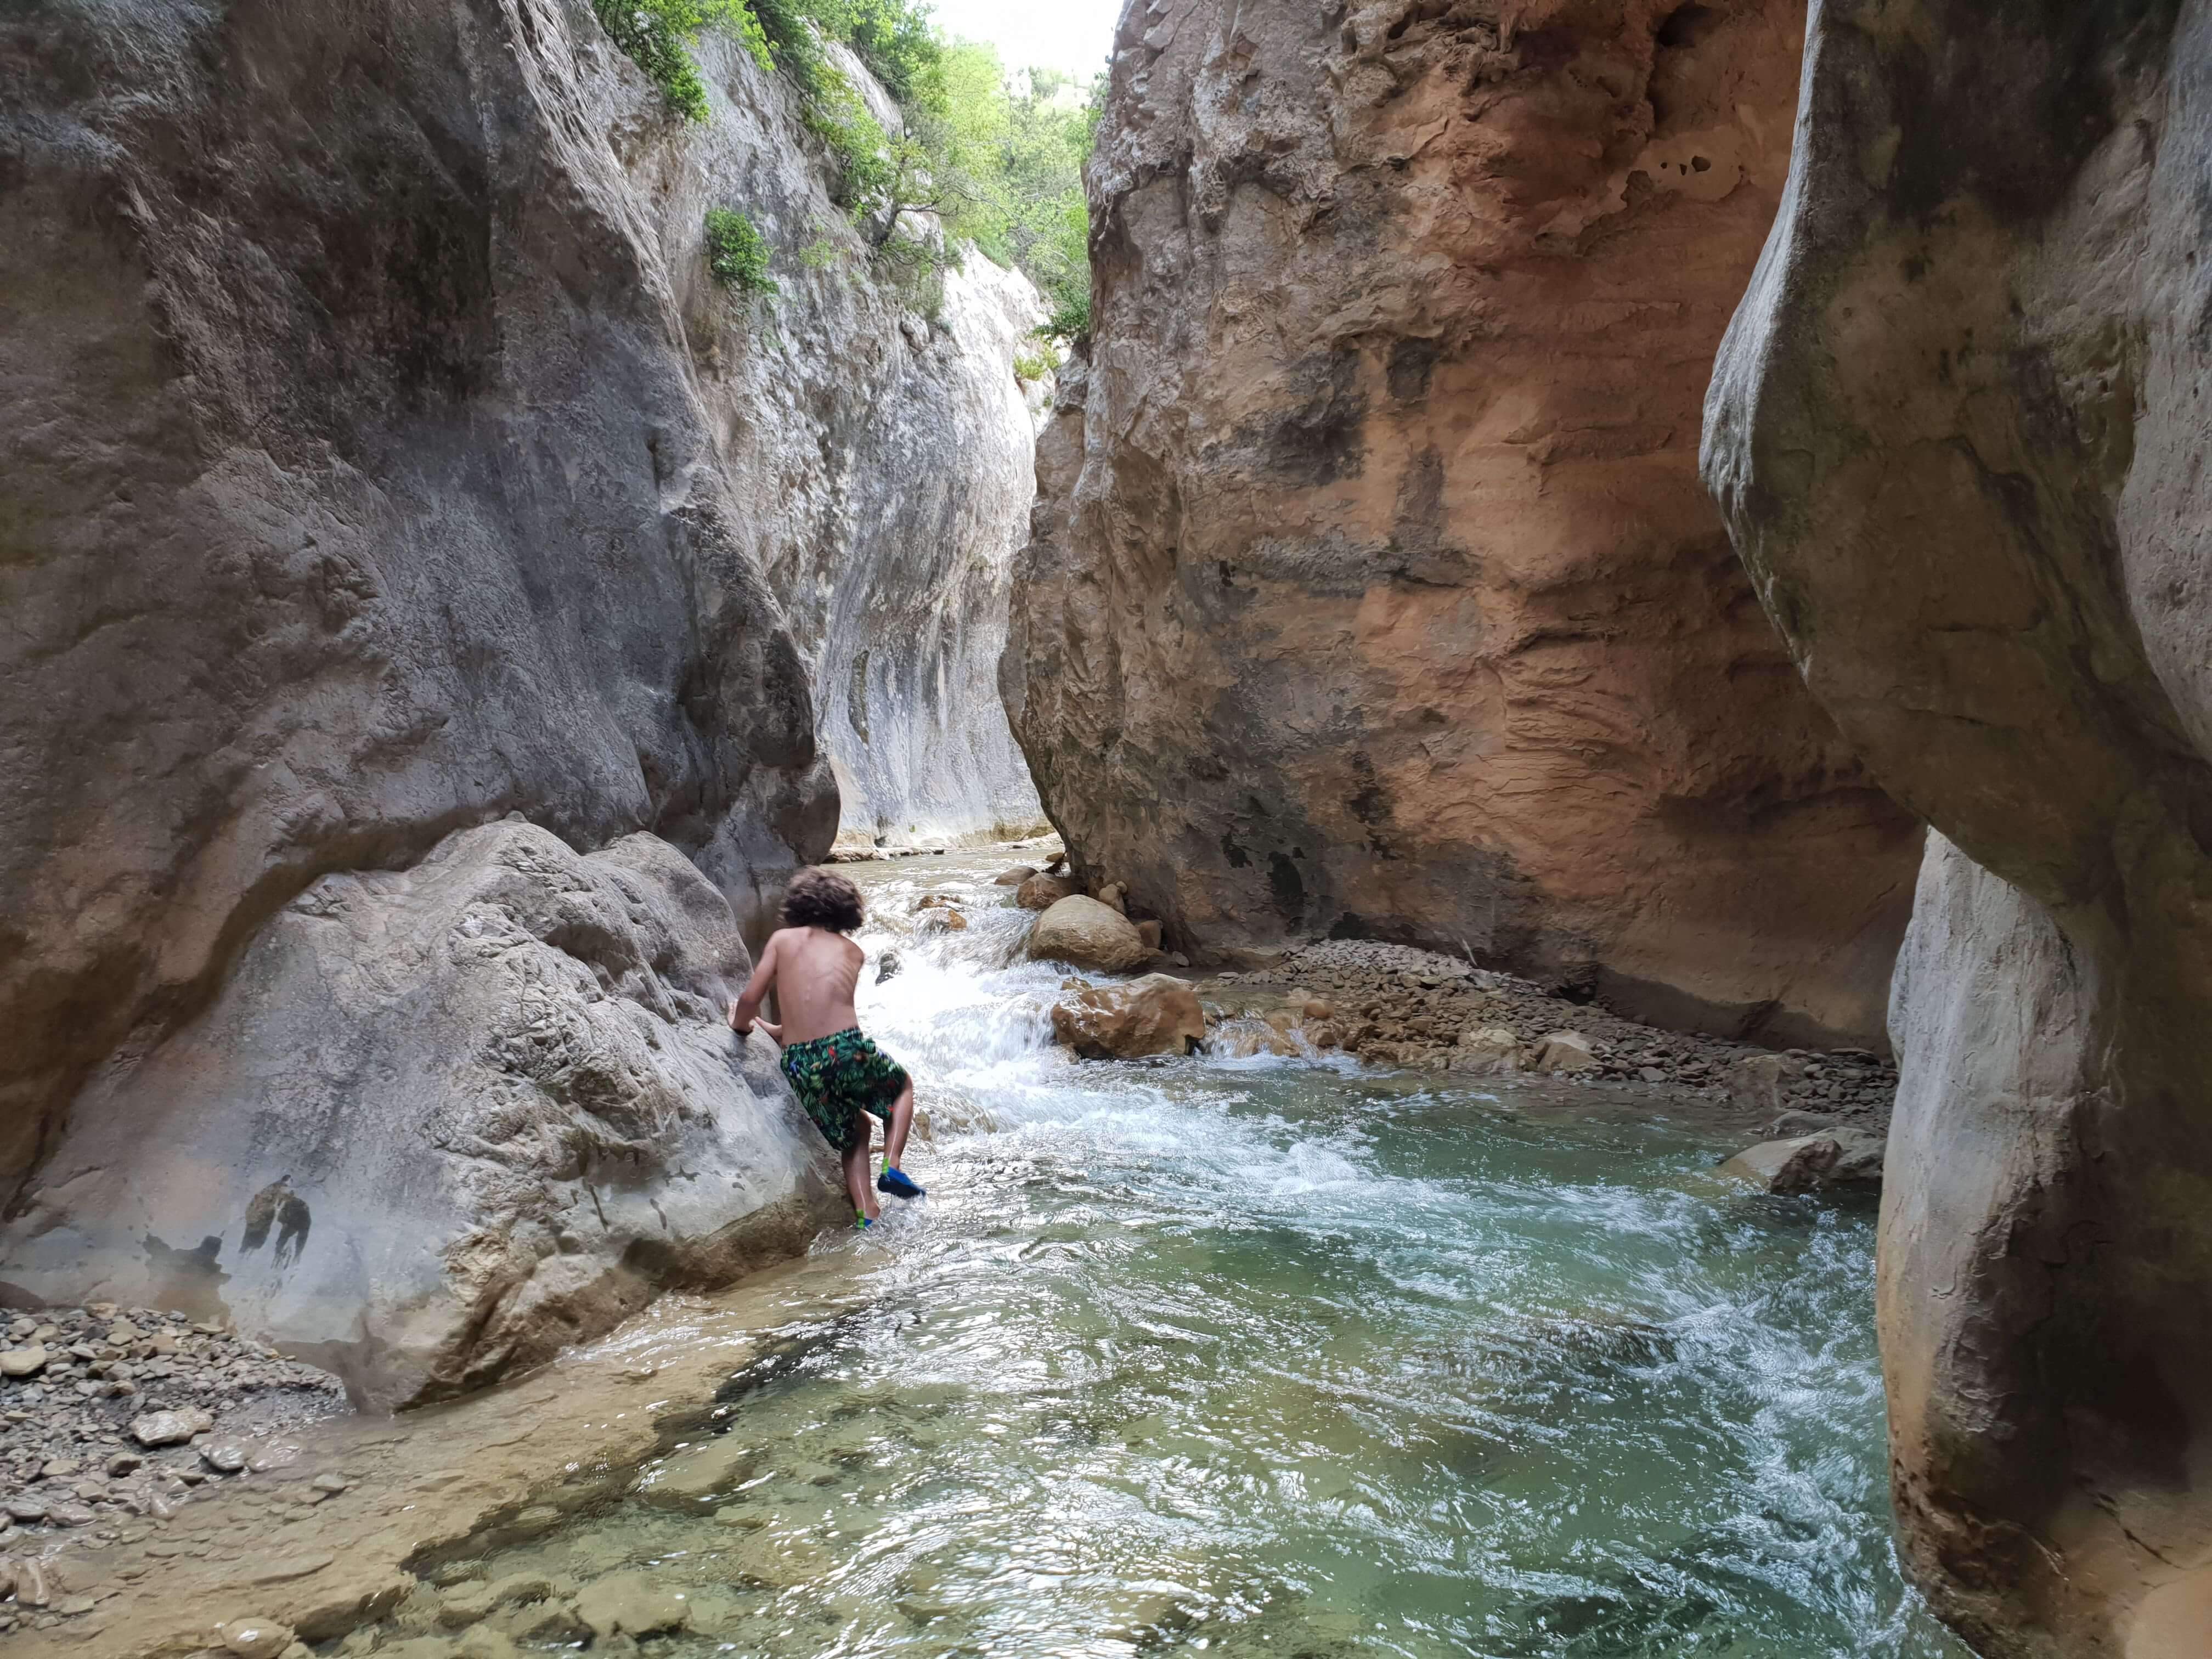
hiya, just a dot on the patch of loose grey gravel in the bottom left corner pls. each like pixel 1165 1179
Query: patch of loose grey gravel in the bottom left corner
pixel 112 1419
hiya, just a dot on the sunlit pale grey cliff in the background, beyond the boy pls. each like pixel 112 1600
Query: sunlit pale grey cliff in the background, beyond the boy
pixel 886 457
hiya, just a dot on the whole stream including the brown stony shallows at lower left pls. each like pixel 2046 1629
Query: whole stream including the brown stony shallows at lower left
pixel 1266 1350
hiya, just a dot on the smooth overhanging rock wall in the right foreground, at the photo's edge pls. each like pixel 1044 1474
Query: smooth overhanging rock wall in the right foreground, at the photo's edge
pixel 1959 430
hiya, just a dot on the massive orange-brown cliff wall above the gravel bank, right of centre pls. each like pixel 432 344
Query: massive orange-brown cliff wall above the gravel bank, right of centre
pixel 1373 589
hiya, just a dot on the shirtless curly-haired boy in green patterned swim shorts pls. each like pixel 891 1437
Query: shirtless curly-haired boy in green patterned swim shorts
pixel 837 1074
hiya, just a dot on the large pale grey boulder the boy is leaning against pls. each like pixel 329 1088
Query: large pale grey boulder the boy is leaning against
pixel 444 1123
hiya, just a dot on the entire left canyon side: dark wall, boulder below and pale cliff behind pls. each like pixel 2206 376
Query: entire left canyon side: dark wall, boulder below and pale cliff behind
pixel 382 463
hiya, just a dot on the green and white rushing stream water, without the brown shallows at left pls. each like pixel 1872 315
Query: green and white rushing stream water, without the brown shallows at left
pixel 1280 1357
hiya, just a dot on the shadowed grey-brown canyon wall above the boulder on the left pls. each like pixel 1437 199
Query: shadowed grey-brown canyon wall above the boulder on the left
pixel 357 490
